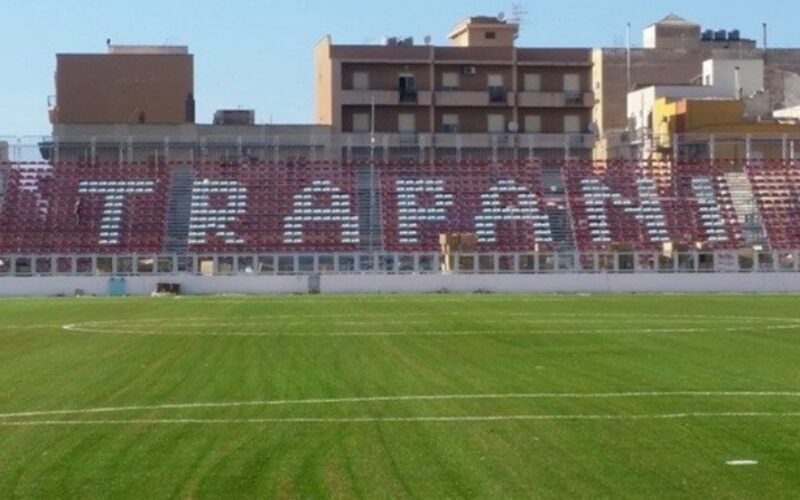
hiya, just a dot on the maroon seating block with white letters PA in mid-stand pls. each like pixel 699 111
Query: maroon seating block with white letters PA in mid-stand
pixel 501 204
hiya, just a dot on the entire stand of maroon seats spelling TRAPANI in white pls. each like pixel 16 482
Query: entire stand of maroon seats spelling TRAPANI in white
pixel 327 206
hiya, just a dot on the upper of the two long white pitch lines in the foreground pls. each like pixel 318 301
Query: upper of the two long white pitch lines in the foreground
pixel 374 399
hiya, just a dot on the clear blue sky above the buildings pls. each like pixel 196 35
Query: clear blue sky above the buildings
pixel 258 53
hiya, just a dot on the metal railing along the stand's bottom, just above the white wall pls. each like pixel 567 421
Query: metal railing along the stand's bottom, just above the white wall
pixel 534 263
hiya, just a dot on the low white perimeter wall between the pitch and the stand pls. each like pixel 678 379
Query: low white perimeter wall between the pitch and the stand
pixel 555 283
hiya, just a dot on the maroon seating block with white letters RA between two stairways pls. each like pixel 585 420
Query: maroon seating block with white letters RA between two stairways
pixel 288 207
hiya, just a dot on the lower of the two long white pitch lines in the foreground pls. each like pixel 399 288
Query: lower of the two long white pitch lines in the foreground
pixel 355 420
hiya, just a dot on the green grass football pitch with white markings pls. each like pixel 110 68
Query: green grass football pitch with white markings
pixel 429 396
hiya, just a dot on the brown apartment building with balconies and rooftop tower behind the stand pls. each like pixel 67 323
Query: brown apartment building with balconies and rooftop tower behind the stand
pixel 480 84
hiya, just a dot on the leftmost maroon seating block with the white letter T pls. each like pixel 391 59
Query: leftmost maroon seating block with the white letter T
pixel 75 208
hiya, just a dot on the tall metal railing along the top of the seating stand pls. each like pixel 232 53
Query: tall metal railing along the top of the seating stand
pixel 359 147
